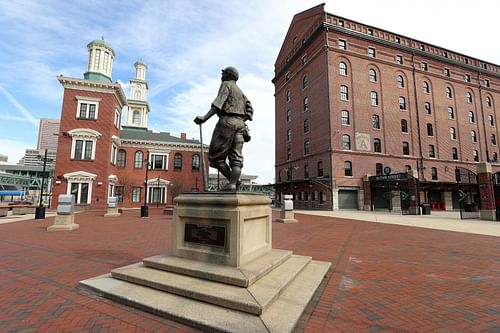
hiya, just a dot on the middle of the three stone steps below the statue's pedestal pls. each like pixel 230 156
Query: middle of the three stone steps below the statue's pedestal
pixel 253 299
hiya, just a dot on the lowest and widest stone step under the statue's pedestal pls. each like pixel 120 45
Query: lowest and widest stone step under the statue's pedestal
pixel 280 316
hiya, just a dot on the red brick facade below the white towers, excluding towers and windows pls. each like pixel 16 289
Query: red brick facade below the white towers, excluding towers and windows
pixel 103 177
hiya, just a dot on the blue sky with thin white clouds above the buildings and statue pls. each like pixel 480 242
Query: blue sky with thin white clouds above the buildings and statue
pixel 185 44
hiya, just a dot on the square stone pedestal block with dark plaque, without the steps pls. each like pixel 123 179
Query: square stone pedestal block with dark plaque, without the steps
pixel 226 228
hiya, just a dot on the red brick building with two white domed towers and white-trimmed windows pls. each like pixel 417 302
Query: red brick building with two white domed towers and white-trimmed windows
pixel 97 158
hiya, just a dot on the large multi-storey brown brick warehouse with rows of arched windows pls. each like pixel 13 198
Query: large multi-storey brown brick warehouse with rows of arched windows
pixel 354 101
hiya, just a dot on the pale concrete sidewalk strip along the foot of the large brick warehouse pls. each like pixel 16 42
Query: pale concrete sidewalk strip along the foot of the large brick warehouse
pixel 439 220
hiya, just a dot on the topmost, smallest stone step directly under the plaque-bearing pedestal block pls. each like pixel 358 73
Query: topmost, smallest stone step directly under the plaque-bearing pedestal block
pixel 242 276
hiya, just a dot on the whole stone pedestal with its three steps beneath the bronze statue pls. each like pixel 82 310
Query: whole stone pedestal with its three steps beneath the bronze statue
pixel 222 274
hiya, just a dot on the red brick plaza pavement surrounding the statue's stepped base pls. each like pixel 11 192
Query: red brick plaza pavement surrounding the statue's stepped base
pixel 384 278
